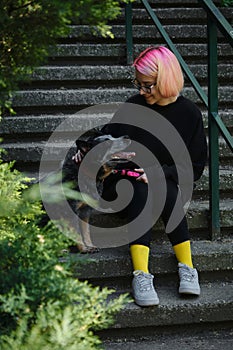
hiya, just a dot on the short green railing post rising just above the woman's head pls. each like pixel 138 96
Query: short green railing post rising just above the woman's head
pixel 129 33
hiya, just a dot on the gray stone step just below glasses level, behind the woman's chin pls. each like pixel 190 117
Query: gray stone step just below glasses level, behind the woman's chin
pixel 77 98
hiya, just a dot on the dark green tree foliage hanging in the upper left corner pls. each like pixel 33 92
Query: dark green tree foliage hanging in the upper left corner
pixel 29 28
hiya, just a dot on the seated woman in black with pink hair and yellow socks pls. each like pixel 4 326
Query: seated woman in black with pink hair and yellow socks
pixel 159 80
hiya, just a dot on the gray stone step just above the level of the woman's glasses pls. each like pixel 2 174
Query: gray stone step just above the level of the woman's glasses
pixel 105 75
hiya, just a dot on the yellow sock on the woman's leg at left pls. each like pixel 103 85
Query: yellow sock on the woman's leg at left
pixel 140 257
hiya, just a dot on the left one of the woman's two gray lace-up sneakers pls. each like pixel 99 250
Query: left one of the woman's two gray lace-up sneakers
pixel 143 289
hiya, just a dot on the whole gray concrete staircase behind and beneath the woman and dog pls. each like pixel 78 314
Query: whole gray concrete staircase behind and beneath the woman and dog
pixel 84 71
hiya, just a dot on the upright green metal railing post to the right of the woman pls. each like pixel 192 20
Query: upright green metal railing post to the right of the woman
pixel 213 129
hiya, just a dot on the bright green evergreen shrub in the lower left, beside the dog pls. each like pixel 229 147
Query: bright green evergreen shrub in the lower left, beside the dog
pixel 41 305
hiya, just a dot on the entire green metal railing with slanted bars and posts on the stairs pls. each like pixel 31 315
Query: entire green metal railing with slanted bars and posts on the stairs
pixel 215 20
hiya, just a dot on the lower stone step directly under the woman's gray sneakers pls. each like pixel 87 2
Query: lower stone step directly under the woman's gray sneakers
pixel 214 305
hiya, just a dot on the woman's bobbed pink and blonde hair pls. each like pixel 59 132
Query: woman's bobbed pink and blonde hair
pixel 161 63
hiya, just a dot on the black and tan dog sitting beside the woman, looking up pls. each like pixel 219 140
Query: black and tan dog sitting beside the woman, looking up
pixel 110 152
